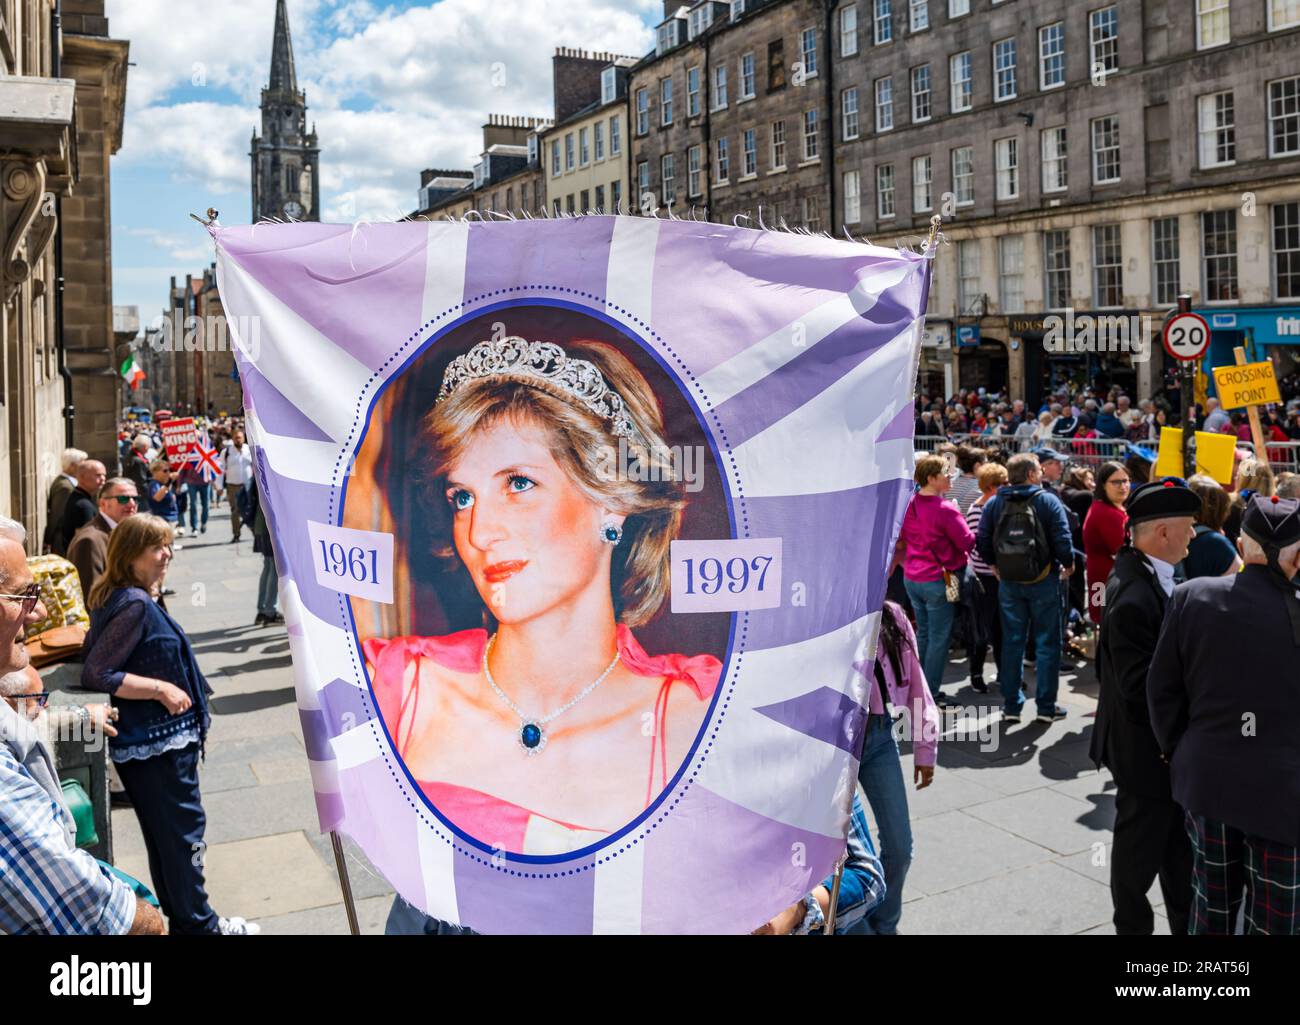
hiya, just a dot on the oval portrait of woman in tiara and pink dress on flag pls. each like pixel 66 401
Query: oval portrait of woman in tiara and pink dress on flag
pixel 543 725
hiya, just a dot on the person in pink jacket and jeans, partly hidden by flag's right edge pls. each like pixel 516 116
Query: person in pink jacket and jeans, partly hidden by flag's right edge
pixel 899 680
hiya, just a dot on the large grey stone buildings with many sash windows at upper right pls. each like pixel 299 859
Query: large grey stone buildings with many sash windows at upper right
pixel 1090 158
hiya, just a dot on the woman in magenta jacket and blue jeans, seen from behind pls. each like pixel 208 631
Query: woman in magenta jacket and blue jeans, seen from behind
pixel 934 540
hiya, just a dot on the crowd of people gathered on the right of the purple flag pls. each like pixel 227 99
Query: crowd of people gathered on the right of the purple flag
pixel 1042 560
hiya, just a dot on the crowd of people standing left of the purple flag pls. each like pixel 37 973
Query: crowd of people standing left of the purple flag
pixel 109 544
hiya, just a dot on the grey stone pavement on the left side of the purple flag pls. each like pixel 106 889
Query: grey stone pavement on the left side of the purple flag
pixel 267 859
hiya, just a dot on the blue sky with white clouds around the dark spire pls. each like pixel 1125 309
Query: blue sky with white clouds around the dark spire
pixel 393 87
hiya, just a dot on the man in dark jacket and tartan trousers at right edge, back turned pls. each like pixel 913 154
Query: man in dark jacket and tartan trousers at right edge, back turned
pixel 1225 708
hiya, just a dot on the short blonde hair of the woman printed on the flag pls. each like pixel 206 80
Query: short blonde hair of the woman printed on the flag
pixel 582 444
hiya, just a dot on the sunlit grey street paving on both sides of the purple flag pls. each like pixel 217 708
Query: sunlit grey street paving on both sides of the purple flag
pixel 1013 836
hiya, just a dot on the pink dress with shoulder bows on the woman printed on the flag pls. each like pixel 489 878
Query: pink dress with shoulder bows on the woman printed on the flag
pixel 483 816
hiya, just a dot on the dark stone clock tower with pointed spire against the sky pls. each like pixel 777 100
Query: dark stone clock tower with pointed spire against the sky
pixel 285 158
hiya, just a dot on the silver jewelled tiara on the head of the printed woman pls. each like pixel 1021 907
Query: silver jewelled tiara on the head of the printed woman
pixel 548 364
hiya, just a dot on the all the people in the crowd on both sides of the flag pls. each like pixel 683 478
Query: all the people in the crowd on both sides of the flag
pixel 1032 557
